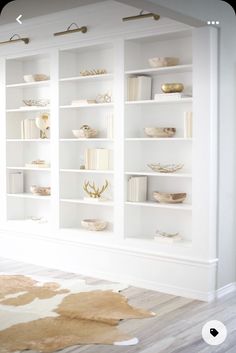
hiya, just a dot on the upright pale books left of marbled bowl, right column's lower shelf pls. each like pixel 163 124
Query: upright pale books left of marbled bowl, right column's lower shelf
pixel 137 189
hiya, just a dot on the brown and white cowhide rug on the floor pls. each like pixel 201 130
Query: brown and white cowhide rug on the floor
pixel 46 316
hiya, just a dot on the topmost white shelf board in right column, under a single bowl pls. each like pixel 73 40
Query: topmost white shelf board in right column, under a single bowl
pixel 162 70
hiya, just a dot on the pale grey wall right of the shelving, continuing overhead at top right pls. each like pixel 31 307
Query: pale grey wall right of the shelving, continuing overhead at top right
pixel 219 10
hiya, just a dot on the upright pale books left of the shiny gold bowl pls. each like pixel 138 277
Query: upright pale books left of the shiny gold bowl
pixel 139 88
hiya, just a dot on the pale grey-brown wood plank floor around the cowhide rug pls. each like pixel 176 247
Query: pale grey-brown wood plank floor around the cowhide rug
pixel 176 328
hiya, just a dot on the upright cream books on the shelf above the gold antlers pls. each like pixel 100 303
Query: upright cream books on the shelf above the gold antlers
pixel 97 158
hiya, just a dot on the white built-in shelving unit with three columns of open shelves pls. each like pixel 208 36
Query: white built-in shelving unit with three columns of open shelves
pixel 132 226
